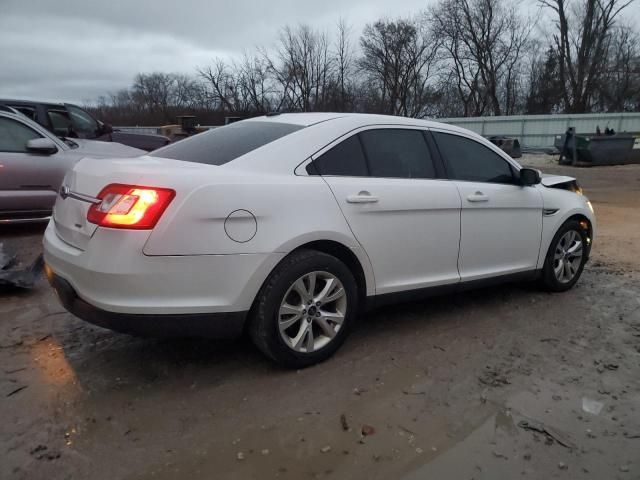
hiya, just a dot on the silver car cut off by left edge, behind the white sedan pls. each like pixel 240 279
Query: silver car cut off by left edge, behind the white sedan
pixel 33 163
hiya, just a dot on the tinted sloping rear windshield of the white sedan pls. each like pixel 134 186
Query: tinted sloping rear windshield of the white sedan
pixel 223 144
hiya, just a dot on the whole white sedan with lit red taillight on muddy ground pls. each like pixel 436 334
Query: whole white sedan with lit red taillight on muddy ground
pixel 287 226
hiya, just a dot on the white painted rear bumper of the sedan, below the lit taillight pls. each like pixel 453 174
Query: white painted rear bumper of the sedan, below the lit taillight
pixel 113 275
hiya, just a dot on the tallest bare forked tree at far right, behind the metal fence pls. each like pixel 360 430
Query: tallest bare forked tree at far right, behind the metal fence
pixel 582 37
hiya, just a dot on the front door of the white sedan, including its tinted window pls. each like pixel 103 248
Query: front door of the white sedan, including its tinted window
pixel 501 220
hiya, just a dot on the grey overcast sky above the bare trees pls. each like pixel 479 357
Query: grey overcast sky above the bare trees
pixel 77 50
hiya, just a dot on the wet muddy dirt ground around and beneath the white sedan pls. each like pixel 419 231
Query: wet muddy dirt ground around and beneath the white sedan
pixel 499 383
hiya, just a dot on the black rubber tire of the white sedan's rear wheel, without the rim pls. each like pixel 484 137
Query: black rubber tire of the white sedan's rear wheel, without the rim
pixel 263 324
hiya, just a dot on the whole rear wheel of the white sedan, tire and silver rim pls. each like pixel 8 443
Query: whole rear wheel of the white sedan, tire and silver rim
pixel 305 309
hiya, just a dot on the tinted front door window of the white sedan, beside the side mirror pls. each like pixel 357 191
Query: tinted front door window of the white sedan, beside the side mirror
pixel 471 161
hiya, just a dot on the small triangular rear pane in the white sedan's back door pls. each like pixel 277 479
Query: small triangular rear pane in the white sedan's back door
pixel 345 159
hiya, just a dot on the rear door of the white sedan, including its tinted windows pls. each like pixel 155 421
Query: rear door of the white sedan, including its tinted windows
pixel 406 218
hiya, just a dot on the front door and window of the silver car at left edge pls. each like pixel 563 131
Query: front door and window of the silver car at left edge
pixel 28 181
